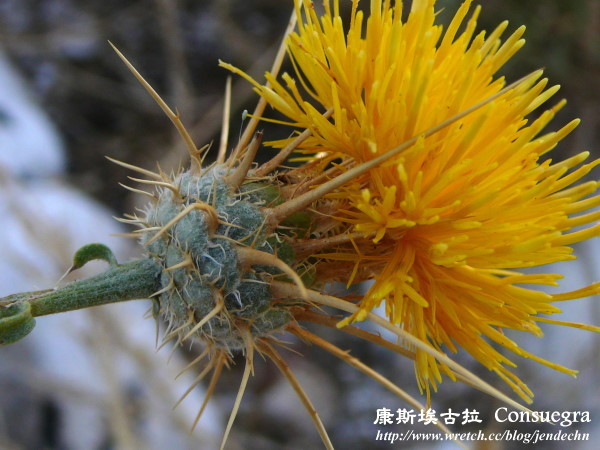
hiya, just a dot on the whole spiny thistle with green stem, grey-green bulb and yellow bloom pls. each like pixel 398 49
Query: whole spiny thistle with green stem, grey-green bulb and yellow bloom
pixel 410 148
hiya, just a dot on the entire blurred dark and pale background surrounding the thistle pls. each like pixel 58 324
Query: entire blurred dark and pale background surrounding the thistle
pixel 93 380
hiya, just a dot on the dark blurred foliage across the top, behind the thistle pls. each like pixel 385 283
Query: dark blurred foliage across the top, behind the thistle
pixel 61 46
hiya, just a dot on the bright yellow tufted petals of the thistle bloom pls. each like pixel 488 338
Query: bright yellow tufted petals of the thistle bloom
pixel 441 226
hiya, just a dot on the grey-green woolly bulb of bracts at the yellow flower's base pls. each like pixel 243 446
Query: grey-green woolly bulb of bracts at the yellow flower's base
pixel 206 291
